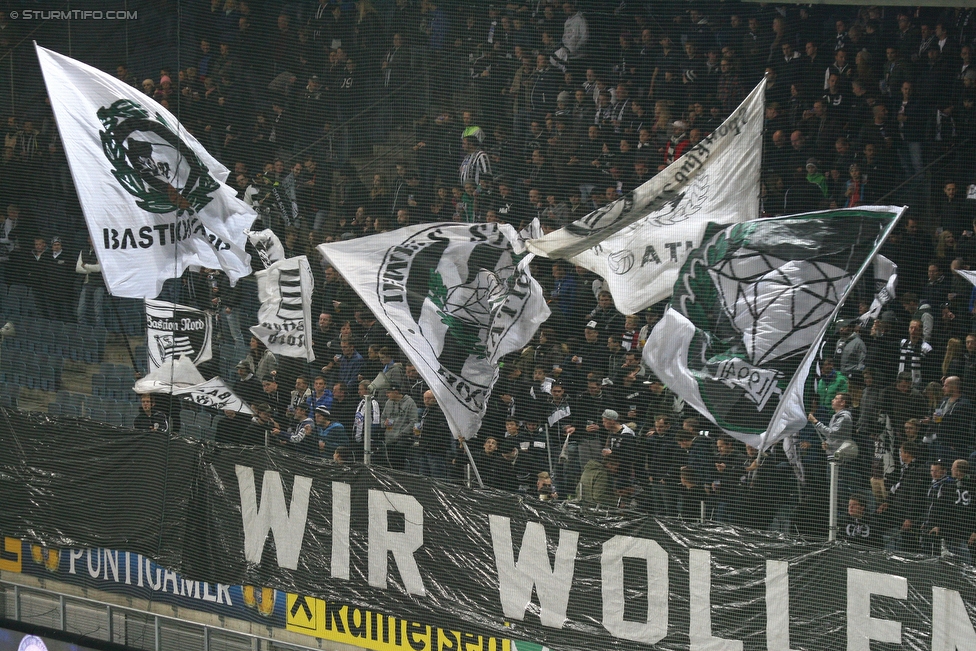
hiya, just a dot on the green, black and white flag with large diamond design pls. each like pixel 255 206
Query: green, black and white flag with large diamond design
pixel 749 309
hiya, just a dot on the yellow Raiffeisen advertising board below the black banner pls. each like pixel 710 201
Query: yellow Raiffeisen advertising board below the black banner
pixel 372 630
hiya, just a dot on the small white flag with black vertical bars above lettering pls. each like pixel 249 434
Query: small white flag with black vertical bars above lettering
pixel 285 317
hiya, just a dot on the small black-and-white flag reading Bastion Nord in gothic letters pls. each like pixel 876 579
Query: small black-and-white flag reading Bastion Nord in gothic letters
pixel 174 330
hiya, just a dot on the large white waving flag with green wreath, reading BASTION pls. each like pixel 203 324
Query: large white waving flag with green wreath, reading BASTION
pixel 155 201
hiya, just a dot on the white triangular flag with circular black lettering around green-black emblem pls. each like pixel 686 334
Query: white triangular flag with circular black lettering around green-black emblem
pixel 455 298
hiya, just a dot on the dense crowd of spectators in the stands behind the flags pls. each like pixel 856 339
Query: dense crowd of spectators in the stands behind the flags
pixel 486 112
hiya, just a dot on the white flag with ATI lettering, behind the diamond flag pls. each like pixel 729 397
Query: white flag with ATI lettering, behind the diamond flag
pixel 638 243
